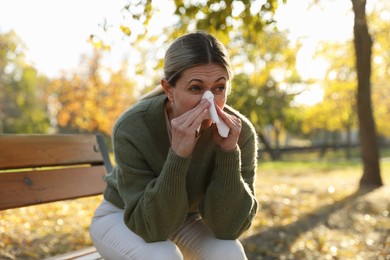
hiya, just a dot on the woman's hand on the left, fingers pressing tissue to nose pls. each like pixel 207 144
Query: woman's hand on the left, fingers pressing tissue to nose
pixel 184 129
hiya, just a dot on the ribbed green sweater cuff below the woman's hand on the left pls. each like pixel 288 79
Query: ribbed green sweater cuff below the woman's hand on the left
pixel 173 175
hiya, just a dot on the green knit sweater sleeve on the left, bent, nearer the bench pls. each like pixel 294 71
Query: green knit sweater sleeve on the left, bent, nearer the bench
pixel 155 204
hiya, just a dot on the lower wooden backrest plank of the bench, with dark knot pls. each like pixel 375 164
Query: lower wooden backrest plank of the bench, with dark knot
pixel 18 189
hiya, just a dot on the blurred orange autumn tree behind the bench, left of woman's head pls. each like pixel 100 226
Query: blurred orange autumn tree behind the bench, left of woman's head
pixel 84 102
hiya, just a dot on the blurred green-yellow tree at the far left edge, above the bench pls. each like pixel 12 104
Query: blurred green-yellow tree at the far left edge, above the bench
pixel 22 90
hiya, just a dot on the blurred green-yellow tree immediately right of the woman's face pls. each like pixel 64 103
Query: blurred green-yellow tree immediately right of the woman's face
pixel 265 103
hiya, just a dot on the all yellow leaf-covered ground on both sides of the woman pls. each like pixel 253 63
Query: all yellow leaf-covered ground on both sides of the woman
pixel 305 213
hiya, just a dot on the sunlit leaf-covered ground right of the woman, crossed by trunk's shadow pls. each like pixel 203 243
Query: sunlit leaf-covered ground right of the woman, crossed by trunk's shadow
pixel 319 215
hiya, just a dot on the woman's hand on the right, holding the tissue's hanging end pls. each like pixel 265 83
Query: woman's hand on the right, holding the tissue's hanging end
pixel 234 123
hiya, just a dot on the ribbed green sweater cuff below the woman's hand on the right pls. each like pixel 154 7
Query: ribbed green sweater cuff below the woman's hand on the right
pixel 228 169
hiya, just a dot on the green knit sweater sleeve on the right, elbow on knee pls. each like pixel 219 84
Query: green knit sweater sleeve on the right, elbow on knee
pixel 230 203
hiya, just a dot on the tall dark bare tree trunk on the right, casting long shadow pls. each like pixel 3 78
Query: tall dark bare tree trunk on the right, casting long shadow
pixel 368 139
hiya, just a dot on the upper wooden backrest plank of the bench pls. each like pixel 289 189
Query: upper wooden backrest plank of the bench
pixel 28 151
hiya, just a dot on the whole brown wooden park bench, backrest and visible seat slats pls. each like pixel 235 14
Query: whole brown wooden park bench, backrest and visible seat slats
pixel 36 169
